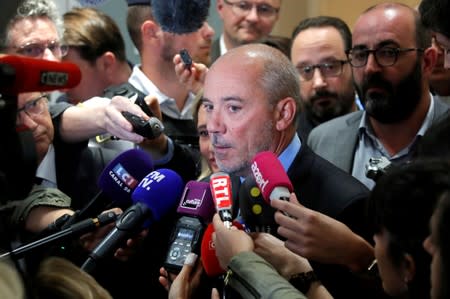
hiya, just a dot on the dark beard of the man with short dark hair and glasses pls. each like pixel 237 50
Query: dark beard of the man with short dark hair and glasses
pixel 340 105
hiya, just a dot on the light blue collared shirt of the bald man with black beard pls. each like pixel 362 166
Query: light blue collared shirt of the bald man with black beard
pixel 369 146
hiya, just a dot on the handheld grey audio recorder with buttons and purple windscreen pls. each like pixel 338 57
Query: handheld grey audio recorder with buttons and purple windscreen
pixel 197 209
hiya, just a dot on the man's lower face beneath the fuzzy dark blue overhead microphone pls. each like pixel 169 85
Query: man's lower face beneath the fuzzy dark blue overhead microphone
pixel 197 43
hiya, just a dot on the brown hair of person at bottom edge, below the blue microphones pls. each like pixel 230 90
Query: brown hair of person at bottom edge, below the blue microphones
pixel 58 278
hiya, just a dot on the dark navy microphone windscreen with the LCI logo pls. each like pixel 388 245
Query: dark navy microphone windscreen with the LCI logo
pixel 122 175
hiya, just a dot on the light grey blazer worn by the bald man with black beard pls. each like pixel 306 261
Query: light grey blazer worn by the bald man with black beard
pixel 336 139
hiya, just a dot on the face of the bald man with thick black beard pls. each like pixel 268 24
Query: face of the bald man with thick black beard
pixel 390 94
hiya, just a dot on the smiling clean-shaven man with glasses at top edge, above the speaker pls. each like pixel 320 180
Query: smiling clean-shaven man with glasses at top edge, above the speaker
pixel 244 22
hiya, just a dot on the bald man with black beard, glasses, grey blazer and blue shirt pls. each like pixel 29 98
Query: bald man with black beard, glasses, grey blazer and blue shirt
pixel 392 61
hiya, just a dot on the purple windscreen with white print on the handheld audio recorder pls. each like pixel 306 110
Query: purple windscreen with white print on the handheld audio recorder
pixel 197 201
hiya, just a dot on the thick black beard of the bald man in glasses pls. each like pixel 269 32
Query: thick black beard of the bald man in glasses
pixel 396 103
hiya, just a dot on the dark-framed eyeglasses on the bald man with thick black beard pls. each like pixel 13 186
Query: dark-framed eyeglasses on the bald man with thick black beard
pixel 384 56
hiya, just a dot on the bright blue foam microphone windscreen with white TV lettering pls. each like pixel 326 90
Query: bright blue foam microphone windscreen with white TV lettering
pixel 160 190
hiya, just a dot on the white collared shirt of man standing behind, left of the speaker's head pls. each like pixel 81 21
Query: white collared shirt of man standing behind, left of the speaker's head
pixel 168 105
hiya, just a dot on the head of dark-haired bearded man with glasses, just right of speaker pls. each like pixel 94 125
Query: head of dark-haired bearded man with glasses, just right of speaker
pixel 326 87
